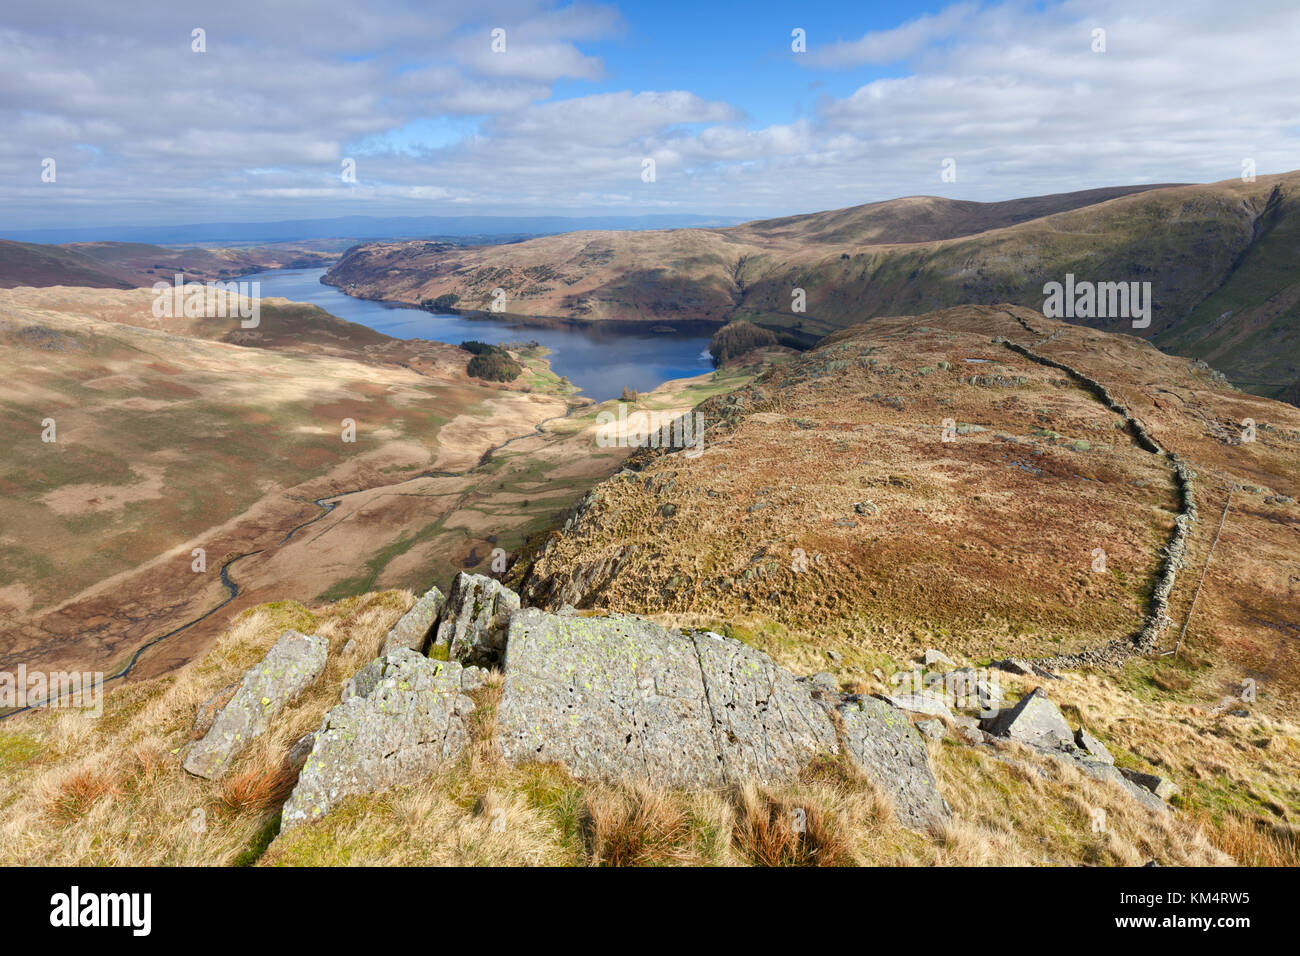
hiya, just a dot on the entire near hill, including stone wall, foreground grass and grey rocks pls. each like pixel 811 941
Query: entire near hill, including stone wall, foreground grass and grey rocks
pixel 829 530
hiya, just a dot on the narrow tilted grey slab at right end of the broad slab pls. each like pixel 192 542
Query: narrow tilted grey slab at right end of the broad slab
pixel 883 745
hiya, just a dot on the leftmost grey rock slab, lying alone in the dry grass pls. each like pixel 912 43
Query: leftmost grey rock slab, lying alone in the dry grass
pixel 289 668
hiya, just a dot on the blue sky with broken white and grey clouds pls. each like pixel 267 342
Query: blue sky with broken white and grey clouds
pixel 112 116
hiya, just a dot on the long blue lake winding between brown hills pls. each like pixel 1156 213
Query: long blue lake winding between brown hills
pixel 601 362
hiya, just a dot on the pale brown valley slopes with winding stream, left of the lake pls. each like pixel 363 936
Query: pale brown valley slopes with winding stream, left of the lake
pixel 174 435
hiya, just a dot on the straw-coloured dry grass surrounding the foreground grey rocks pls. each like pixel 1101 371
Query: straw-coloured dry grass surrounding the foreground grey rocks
pixel 112 793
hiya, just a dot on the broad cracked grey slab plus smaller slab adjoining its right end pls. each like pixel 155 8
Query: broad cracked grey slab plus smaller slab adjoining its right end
pixel 623 699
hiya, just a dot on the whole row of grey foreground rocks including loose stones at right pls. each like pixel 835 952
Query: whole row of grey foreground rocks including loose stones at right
pixel 619 699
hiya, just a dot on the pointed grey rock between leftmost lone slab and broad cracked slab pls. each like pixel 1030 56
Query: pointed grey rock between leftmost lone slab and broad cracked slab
pixel 404 717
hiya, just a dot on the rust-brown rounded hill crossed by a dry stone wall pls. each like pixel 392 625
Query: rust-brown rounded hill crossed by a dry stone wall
pixel 943 478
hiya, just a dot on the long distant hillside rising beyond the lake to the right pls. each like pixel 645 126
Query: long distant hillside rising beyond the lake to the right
pixel 1220 258
